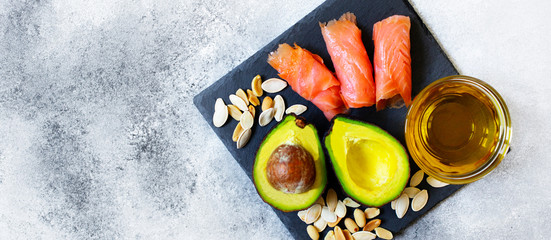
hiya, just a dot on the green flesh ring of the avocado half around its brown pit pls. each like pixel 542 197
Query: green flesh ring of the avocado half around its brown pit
pixel 291 131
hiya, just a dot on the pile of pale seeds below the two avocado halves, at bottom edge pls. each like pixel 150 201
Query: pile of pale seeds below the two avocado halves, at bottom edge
pixel 332 211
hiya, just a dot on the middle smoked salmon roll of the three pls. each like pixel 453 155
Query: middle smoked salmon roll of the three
pixel 352 66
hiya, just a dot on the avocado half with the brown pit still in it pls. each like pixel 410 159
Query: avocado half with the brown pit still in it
pixel 304 141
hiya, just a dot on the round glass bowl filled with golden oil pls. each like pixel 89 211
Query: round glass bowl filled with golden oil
pixel 458 129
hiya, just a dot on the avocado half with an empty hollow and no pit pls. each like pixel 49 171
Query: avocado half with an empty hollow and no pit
pixel 371 165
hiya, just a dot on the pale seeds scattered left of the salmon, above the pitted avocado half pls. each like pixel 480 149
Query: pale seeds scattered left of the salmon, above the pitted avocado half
pixel 243 109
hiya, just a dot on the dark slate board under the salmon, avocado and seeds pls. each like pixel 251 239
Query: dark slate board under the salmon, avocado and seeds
pixel 429 63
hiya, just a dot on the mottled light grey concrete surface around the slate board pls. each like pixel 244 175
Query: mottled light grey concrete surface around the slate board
pixel 99 138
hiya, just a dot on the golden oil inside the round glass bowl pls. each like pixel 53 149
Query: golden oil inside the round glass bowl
pixel 457 129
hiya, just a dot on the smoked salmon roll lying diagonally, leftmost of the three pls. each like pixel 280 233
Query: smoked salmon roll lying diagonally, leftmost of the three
pixel 309 77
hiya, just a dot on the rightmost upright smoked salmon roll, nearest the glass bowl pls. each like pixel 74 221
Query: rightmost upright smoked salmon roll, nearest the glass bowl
pixel 392 62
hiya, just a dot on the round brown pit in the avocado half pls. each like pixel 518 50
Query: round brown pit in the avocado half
pixel 291 169
